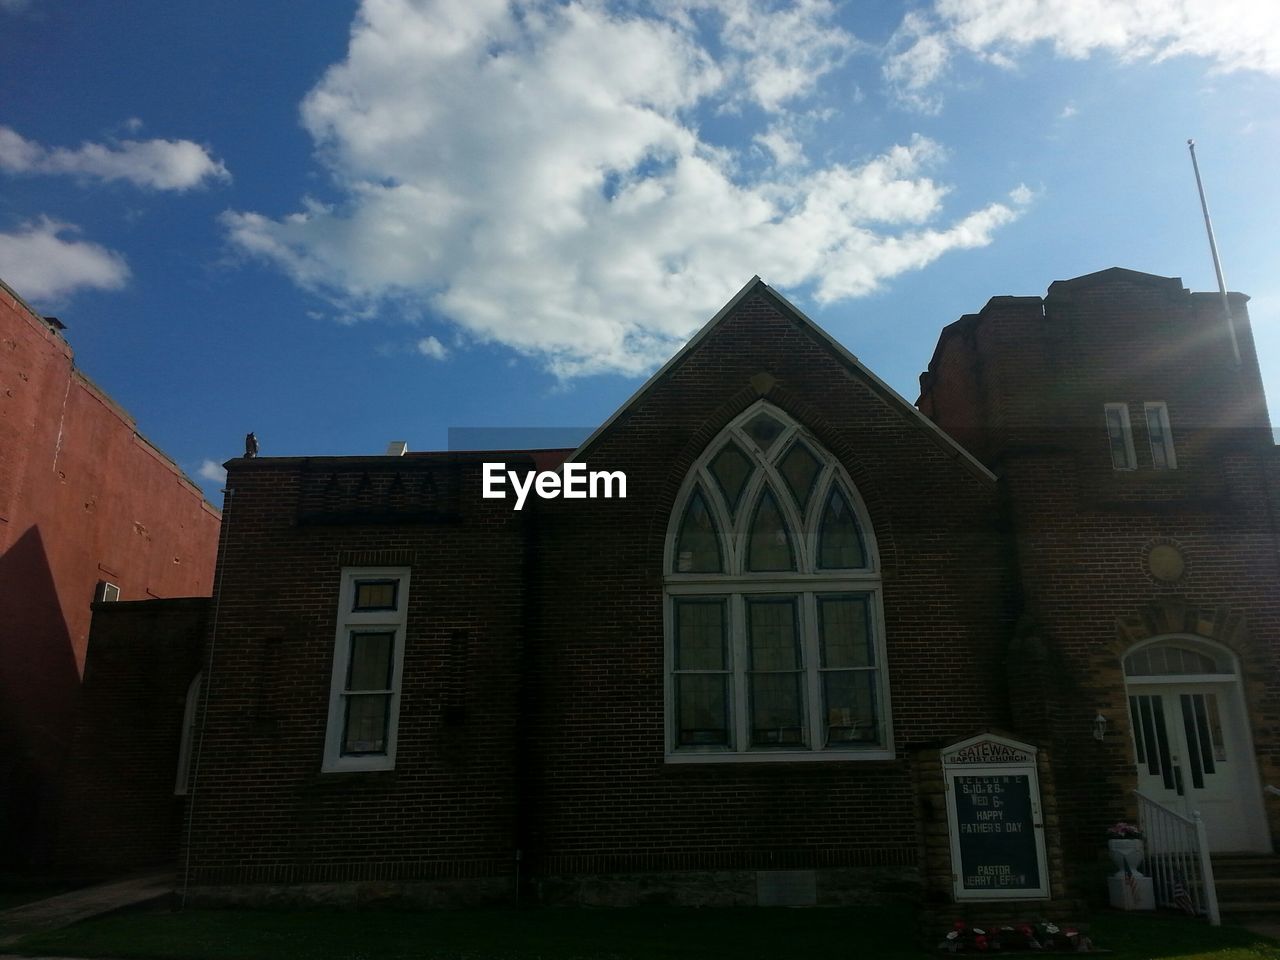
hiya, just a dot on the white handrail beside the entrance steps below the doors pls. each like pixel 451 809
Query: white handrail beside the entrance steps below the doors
pixel 1178 858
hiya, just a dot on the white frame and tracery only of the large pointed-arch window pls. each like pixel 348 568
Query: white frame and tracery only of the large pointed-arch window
pixel 806 583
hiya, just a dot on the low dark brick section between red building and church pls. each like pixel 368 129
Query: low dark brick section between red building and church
pixel 118 806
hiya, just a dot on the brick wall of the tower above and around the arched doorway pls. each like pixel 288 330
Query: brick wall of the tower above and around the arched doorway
pixel 1084 529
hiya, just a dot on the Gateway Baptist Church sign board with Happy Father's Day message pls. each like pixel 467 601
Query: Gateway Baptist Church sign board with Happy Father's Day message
pixel 995 820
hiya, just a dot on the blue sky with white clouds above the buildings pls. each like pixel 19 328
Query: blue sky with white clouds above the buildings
pixel 342 225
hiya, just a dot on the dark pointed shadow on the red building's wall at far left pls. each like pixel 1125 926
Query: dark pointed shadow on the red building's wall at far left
pixel 39 684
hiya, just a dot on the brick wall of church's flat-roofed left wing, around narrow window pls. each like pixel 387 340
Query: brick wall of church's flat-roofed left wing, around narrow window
pixel 262 808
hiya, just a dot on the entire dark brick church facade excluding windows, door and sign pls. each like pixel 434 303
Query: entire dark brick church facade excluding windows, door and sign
pixel 532 719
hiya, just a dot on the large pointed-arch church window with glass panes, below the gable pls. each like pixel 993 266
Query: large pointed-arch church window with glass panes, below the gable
pixel 775 633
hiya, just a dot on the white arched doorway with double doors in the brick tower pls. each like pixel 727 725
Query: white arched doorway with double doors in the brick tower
pixel 1192 740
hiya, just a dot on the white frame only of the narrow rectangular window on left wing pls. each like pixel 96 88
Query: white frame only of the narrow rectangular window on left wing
pixel 349 621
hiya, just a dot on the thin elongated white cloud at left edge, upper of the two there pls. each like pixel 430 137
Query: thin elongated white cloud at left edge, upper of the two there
pixel 159 164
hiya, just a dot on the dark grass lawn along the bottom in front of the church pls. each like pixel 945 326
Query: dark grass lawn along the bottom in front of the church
pixel 641 934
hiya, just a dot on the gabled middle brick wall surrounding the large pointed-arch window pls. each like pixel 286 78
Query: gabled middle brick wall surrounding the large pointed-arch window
pixel 606 798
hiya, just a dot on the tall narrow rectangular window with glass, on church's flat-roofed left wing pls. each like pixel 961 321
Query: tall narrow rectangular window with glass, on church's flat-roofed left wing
pixel 368 662
